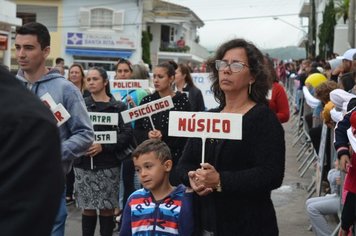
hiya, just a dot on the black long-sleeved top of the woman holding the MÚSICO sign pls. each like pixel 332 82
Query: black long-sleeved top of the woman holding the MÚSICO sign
pixel 249 170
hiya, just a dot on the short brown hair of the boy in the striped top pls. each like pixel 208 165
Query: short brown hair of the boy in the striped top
pixel 161 149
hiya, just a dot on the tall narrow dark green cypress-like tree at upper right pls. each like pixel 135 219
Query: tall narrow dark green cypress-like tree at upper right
pixel 326 32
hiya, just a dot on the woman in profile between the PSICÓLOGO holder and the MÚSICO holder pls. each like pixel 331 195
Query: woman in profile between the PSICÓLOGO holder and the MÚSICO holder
pixel 183 82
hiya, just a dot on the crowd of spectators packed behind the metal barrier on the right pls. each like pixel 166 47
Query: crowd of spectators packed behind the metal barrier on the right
pixel 325 95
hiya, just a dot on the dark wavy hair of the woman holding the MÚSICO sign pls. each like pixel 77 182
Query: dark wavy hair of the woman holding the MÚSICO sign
pixel 259 88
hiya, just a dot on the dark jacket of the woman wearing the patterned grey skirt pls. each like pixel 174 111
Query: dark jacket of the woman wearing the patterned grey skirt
pixel 108 157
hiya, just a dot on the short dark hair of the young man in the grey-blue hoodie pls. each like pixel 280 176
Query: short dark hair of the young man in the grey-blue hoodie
pixel 35 28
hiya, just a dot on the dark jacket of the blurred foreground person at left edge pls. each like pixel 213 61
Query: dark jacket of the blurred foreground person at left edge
pixel 31 176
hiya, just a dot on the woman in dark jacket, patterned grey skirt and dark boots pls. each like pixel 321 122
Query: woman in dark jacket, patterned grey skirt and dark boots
pixel 97 173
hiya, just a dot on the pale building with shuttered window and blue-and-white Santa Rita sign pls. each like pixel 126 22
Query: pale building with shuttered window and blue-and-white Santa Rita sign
pixel 100 32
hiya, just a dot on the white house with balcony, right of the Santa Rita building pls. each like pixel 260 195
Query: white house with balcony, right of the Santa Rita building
pixel 167 23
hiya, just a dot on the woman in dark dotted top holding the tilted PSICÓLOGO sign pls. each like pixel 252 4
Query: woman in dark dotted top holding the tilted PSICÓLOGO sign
pixel 163 78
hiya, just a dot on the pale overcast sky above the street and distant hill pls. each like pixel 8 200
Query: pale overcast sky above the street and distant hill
pixel 249 19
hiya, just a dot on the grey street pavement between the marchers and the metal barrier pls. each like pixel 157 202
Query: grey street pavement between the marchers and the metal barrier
pixel 289 199
